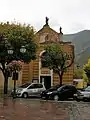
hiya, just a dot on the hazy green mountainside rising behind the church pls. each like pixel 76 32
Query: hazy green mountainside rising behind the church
pixel 81 41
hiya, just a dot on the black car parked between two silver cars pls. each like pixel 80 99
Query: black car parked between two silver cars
pixel 62 93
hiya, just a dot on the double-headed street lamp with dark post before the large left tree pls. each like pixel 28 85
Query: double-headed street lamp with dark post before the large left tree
pixel 15 74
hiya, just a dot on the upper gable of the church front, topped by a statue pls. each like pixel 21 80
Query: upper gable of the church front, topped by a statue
pixel 48 35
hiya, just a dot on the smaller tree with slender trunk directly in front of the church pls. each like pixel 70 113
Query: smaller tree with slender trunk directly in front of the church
pixel 57 59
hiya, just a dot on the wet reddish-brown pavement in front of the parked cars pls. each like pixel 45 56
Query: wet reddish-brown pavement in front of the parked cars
pixel 33 109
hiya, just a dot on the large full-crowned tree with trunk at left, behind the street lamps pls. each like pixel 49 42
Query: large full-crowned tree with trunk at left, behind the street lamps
pixel 15 36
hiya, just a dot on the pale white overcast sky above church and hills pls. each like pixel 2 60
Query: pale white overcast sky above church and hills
pixel 71 15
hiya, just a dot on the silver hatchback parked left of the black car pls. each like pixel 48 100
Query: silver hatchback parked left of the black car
pixel 29 89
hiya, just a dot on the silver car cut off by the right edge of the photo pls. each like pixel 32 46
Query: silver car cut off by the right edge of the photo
pixel 83 94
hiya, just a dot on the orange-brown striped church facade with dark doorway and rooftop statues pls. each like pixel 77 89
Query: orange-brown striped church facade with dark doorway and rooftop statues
pixel 35 71
